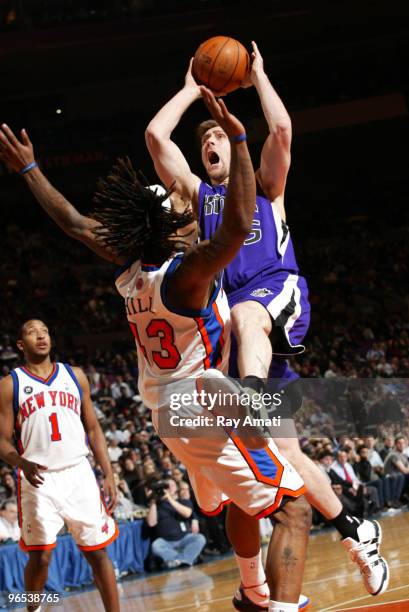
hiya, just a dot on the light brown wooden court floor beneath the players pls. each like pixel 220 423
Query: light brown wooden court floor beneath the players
pixel 331 581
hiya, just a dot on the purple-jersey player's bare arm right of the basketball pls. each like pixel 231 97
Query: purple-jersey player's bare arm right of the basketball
pixel 275 156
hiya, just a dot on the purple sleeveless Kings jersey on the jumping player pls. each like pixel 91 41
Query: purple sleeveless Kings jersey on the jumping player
pixel 267 249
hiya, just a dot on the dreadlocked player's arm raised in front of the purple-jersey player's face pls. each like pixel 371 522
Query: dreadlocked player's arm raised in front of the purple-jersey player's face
pixel 204 260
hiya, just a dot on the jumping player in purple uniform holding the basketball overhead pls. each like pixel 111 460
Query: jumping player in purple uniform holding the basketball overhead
pixel 269 300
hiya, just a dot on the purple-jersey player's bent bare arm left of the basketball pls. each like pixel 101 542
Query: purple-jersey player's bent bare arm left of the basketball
pixel 170 163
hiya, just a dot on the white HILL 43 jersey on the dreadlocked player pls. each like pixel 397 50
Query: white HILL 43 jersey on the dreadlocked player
pixel 172 343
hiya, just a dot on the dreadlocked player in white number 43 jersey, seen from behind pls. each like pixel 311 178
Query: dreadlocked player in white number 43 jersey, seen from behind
pixel 137 227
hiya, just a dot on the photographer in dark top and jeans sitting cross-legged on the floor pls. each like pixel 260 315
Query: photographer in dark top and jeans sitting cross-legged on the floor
pixel 176 544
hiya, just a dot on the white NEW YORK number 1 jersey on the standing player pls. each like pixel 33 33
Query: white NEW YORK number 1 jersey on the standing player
pixel 47 426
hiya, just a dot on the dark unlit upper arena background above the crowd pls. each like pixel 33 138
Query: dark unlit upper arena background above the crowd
pixel 341 68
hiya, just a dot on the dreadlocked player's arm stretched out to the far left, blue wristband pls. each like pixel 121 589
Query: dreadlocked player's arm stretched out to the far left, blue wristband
pixel 19 156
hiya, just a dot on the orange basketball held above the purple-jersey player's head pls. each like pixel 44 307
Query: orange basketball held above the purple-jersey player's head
pixel 221 63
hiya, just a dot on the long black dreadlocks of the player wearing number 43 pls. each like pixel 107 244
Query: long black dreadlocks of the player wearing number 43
pixel 133 222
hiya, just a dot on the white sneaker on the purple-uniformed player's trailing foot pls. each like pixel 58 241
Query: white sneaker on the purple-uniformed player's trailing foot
pixel 365 552
